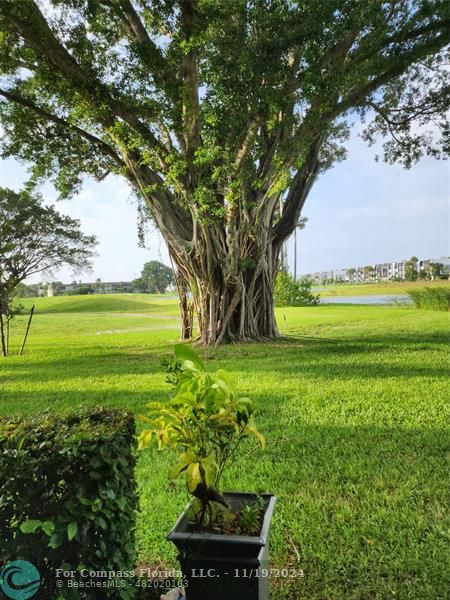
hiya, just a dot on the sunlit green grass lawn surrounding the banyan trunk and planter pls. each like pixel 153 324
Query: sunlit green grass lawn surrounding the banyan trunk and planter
pixel 354 406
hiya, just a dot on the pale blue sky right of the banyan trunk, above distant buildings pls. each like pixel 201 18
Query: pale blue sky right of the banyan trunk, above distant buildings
pixel 364 212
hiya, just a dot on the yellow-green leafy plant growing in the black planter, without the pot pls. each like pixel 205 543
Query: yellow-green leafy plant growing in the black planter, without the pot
pixel 205 420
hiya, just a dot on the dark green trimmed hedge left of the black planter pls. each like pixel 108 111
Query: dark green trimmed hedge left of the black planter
pixel 68 496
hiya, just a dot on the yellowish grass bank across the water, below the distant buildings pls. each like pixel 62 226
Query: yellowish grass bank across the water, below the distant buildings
pixel 383 288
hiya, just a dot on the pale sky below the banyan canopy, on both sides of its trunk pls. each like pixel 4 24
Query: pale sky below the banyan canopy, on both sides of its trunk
pixel 360 212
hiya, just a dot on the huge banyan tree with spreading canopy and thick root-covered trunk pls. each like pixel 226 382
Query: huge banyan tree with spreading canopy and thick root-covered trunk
pixel 221 114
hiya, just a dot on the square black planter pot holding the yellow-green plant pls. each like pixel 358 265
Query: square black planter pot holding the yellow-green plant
pixel 225 567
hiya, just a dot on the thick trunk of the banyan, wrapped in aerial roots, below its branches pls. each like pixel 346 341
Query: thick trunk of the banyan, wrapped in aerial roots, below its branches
pixel 230 304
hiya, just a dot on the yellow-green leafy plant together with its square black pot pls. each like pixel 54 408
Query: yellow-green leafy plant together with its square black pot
pixel 222 538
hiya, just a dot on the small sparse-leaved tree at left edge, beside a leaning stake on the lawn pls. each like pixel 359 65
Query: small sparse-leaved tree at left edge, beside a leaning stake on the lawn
pixel 34 238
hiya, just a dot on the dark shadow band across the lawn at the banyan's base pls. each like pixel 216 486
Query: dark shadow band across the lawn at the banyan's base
pixel 376 357
